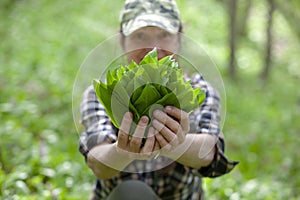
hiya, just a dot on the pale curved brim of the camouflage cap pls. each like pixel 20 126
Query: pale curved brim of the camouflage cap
pixel 171 26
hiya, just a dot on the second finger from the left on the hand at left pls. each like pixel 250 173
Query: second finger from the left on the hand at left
pixel 136 140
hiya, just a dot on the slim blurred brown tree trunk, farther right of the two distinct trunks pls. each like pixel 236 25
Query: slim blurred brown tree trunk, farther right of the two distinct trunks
pixel 268 53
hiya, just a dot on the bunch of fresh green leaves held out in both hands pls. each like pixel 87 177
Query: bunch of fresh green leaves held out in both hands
pixel 139 87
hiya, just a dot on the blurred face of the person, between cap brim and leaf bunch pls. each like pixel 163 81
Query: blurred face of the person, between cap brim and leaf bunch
pixel 143 40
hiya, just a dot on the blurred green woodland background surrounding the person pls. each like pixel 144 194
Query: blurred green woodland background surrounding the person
pixel 44 42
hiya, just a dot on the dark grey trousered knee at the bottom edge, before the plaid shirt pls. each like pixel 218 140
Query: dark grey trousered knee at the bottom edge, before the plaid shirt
pixel 132 190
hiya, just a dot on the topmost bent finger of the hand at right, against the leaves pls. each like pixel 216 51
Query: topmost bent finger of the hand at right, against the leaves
pixel 182 116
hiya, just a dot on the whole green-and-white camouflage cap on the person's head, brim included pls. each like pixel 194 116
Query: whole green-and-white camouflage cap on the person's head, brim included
pixel 140 13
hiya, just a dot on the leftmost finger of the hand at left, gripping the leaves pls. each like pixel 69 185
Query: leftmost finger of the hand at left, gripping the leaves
pixel 123 135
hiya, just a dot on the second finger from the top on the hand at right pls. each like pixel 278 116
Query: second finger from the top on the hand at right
pixel 172 124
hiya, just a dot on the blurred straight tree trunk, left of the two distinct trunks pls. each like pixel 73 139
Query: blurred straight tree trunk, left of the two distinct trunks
pixel 232 36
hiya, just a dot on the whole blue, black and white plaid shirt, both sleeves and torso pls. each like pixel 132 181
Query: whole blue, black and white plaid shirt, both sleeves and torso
pixel 177 181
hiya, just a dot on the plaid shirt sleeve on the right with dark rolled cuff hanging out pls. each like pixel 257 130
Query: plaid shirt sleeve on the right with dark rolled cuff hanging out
pixel 206 120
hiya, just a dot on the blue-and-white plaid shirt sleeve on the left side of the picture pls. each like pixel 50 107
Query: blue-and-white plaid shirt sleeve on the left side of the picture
pixel 98 128
